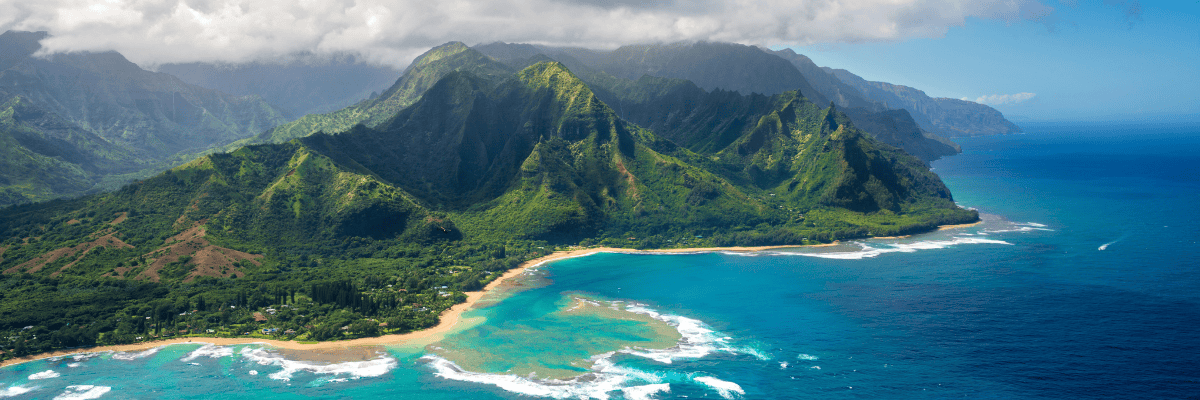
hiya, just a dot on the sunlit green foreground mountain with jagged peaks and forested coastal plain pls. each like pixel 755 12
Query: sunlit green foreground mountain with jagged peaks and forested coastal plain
pixel 383 226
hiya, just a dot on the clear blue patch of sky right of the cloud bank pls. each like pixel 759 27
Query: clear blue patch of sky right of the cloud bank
pixel 1093 61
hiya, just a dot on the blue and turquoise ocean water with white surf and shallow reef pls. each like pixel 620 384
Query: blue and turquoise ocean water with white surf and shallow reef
pixel 1082 284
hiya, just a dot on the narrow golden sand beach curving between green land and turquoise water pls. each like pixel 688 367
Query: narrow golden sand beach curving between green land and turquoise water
pixel 447 321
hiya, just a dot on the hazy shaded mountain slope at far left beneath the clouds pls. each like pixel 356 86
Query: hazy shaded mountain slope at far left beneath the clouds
pixel 86 122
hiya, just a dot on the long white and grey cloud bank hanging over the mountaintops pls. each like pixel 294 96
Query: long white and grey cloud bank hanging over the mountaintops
pixel 394 32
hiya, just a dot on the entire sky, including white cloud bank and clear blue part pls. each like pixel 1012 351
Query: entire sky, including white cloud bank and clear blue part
pixel 1031 59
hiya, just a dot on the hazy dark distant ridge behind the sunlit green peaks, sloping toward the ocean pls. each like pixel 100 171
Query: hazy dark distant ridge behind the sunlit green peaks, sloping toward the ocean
pixel 727 67
